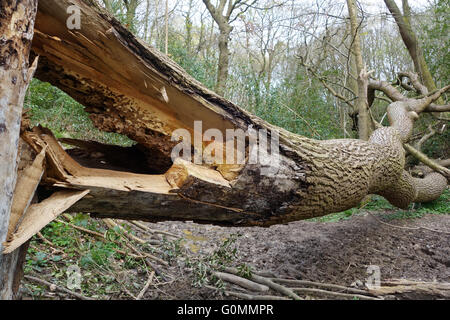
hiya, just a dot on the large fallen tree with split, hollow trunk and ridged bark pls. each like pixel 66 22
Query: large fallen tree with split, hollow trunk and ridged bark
pixel 132 89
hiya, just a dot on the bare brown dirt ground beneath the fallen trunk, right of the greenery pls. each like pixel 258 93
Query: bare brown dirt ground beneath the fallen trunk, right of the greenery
pixel 332 252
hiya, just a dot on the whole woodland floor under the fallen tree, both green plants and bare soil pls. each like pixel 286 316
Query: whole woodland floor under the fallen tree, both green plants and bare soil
pixel 336 252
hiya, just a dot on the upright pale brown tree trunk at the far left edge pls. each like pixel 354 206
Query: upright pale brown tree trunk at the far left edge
pixel 16 27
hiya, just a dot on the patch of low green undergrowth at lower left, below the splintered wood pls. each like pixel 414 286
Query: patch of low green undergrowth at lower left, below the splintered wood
pixel 105 273
